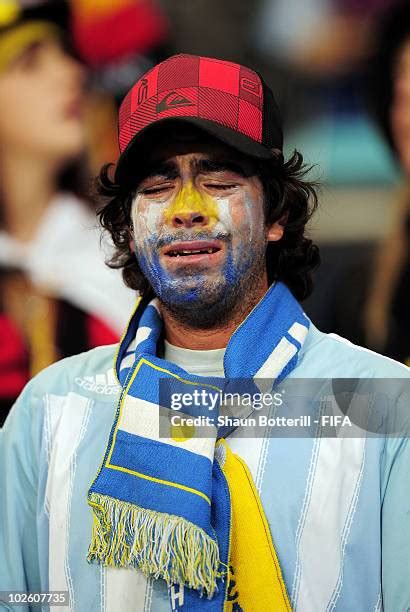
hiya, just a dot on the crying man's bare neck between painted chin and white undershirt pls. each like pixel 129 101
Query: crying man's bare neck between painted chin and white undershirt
pixel 181 335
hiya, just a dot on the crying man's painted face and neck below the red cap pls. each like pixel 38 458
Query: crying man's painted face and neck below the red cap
pixel 200 236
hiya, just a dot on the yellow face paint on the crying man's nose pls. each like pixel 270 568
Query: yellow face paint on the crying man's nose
pixel 189 200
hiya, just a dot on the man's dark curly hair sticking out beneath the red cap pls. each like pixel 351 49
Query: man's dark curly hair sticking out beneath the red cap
pixel 288 196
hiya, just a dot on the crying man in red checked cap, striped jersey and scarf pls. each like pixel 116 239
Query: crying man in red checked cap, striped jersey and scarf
pixel 208 221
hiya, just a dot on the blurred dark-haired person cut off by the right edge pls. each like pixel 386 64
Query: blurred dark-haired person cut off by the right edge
pixel 387 315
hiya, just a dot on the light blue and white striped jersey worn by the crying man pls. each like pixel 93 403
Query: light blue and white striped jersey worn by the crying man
pixel 338 508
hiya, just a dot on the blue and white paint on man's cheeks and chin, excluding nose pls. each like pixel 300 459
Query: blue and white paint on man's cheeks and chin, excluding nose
pixel 238 224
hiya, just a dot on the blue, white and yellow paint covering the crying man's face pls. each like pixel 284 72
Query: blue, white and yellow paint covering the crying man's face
pixel 233 222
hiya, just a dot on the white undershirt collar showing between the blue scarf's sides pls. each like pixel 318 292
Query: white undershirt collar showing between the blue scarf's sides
pixel 200 363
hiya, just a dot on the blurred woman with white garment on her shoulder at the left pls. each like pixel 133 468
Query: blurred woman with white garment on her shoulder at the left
pixel 57 297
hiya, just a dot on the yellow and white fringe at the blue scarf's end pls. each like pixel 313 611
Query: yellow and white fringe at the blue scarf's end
pixel 160 545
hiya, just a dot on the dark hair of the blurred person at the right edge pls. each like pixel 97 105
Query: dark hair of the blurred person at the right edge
pixel 392 33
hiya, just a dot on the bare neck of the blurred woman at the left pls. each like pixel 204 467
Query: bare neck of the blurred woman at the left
pixel 28 185
